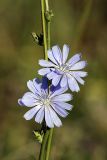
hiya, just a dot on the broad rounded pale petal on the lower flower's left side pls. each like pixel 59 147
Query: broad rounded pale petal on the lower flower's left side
pixel 29 99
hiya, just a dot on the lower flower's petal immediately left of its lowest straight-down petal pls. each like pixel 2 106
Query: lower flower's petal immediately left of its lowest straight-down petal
pixel 40 115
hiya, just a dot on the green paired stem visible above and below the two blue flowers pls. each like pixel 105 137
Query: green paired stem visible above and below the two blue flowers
pixel 46 144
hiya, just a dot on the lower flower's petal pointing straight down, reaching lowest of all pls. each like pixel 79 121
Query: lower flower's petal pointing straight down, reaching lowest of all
pixel 48 119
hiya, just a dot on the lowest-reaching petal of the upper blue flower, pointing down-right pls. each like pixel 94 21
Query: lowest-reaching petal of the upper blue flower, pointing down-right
pixel 73 85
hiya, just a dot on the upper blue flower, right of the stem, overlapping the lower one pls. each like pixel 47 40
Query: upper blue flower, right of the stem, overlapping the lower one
pixel 59 70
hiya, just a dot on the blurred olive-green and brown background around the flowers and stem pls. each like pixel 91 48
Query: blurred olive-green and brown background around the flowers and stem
pixel 82 25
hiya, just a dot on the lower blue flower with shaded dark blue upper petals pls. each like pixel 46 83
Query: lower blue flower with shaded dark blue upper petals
pixel 46 102
